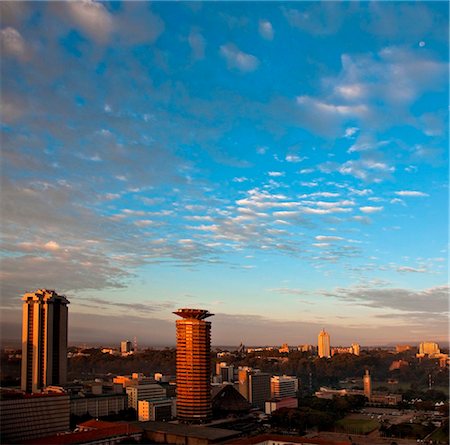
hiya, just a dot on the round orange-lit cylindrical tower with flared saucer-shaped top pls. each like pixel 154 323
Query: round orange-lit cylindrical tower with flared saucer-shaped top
pixel 193 365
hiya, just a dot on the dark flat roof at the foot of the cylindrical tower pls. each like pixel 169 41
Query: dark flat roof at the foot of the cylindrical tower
pixel 200 432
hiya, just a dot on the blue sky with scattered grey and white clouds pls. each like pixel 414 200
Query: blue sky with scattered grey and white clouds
pixel 282 164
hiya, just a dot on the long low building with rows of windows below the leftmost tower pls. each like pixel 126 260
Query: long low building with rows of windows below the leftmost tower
pixel 28 416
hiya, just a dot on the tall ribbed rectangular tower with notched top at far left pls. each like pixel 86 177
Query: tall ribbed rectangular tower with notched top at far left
pixel 44 340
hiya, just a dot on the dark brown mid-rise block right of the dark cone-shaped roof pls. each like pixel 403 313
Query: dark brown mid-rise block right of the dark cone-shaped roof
pixel 254 385
